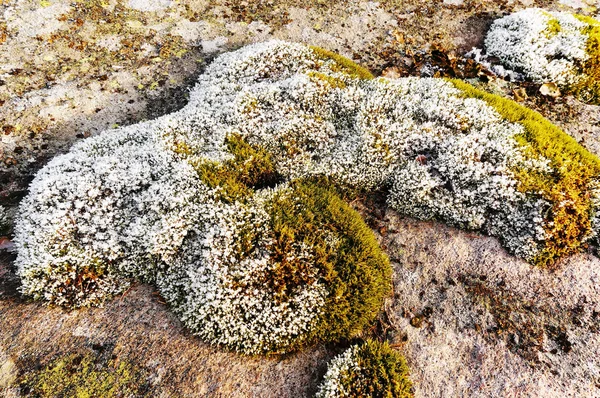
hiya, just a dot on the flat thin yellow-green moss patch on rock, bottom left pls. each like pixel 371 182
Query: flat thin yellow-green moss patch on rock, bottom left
pixel 85 376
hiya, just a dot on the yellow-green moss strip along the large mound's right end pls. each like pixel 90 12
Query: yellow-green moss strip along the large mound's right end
pixel 567 188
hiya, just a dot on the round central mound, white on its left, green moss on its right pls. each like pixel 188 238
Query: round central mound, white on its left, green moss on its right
pixel 301 267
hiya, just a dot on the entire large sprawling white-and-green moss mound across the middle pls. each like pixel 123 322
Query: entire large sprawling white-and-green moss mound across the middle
pixel 229 205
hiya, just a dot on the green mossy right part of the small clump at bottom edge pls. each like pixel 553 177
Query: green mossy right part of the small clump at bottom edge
pixel 383 373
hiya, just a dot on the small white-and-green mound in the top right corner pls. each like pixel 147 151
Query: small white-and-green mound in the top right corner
pixel 556 47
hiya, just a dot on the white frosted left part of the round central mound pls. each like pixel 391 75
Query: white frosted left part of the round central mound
pixel 222 294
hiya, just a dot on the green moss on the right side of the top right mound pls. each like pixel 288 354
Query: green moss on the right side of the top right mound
pixel 589 88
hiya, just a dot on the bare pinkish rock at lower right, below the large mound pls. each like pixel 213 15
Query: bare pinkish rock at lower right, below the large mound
pixel 474 321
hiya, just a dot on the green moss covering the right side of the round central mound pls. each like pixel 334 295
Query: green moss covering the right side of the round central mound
pixel 350 263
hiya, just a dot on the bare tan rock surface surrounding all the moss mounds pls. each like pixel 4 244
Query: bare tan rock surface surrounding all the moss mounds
pixel 471 320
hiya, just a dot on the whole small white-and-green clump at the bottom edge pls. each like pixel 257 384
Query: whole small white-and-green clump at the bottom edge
pixel 372 369
